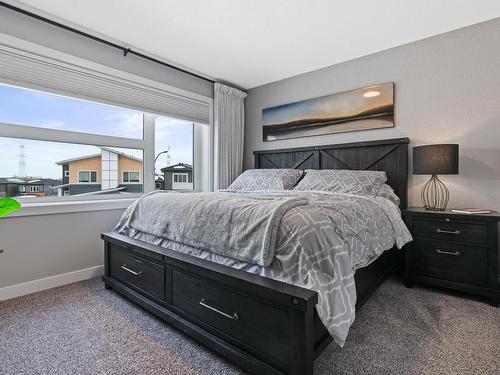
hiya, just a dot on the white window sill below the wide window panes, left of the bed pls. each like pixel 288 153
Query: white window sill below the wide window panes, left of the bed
pixel 51 208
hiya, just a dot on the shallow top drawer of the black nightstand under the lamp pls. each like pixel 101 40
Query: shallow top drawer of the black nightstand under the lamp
pixel 450 231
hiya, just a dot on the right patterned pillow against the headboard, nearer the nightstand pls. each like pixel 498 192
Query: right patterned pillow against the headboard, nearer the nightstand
pixel 343 181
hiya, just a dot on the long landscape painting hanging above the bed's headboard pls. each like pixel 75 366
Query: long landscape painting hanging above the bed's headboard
pixel 370 107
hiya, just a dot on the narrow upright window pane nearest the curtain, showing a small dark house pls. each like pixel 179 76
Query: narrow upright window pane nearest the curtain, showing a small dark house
pixel 174 152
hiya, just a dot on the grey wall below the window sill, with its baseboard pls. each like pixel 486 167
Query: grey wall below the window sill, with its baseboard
pixel 47 246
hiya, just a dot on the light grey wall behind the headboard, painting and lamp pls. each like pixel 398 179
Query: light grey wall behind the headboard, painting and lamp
pixel 447 90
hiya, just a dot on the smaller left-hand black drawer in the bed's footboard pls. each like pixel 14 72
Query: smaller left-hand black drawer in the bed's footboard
pixel 138 272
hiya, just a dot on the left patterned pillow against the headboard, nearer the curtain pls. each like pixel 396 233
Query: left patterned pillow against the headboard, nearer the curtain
pixel 266 179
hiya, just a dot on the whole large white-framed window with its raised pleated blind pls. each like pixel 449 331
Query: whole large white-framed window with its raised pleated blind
pixel 127 120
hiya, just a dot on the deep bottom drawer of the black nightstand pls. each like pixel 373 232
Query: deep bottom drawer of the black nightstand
pixel 454 262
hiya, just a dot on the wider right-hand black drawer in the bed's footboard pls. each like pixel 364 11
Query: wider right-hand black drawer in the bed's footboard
pixel 255 324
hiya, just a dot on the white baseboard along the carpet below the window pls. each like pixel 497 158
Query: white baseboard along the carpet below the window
pixel 29 287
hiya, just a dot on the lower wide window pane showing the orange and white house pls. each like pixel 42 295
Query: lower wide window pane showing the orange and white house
pixel 43 169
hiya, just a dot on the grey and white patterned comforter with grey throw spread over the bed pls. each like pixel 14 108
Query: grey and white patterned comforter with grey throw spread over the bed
pixel 321 239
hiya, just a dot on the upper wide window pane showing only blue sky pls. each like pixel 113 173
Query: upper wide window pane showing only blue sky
pixel 33 108
